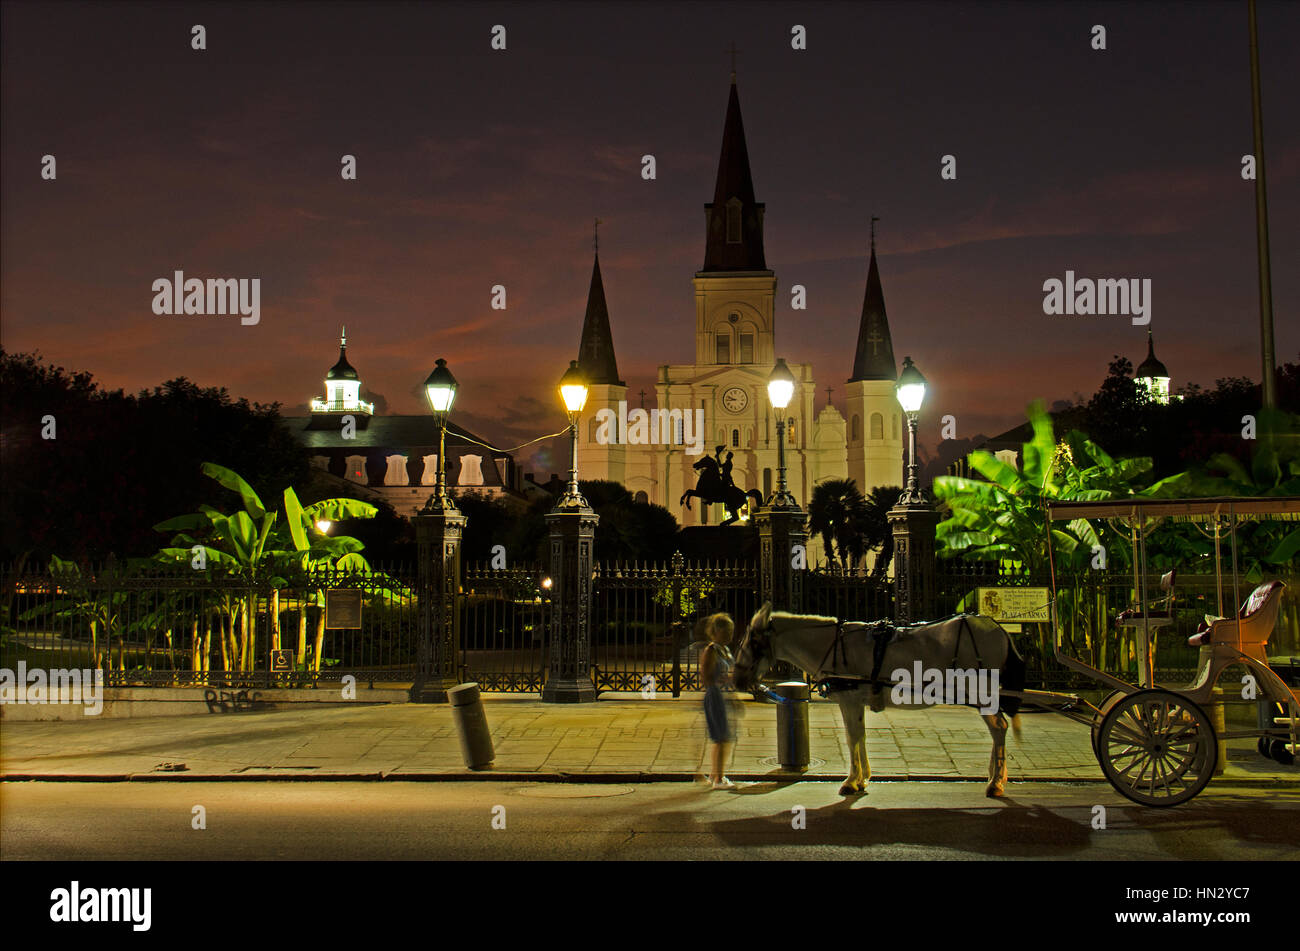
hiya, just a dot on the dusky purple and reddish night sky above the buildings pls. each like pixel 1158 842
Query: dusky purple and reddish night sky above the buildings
pixel 479 168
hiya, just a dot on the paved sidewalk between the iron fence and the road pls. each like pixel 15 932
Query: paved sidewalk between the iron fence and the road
pixel 610 740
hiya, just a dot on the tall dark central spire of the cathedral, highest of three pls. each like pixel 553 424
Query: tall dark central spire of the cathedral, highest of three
pixel 735 220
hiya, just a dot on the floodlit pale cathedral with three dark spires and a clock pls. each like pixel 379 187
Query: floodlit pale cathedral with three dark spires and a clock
pixel 726 388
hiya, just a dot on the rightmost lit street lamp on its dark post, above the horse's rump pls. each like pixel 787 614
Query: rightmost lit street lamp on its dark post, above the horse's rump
pixel 913 520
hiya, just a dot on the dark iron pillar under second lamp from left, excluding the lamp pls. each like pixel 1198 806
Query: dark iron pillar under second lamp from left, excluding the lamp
pixel 573 533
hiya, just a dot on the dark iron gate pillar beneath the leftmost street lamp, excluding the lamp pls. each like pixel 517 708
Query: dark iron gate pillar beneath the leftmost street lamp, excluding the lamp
pixel 439 531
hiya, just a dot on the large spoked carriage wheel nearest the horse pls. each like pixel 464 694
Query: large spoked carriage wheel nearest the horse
pixel 1158 749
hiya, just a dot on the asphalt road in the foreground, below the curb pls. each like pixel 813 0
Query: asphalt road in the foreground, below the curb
pixel 661 822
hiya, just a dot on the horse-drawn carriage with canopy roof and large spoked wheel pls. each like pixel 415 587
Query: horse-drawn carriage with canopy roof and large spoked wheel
pixel 1155 742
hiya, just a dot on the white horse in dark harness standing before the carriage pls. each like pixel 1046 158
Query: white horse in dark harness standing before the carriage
pixel 850 659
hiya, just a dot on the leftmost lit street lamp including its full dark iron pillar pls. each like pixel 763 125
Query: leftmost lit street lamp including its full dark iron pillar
pixel 440 528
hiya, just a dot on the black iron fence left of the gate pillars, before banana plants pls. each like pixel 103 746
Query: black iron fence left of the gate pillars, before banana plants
pixel 157 626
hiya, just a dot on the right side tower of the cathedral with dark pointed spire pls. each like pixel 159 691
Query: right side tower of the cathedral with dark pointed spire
pixel 876 424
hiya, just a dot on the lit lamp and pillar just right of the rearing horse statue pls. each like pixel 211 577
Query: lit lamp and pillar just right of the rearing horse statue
pixel 782 535
